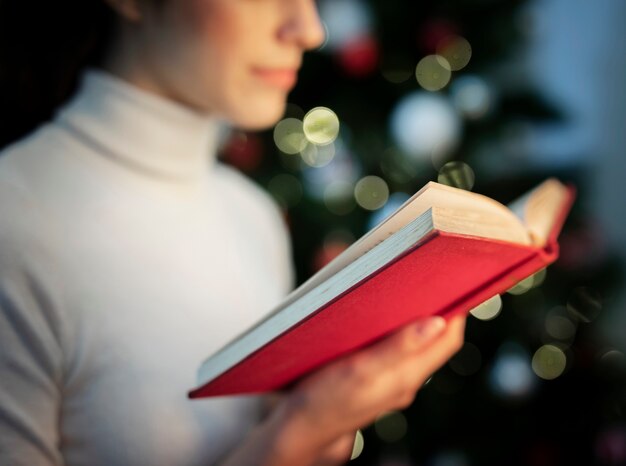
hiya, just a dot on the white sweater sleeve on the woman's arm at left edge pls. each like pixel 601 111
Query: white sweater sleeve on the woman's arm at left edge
pixel 31 356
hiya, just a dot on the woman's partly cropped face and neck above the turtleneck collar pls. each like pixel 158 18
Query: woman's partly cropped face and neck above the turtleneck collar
pixel 237 59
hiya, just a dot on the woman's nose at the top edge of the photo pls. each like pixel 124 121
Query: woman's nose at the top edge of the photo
pixel 303 24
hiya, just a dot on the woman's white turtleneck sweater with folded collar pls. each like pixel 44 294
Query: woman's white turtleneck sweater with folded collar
pixel 127 255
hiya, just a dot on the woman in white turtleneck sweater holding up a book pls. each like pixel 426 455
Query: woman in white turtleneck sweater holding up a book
pixel 127 254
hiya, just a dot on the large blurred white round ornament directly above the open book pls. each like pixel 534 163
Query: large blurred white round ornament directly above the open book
pixel 423 123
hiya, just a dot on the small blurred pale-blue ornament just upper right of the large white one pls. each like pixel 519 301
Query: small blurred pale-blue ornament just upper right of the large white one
pixel 471 96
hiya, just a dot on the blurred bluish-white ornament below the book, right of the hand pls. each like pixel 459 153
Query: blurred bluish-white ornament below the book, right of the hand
pixel 511 375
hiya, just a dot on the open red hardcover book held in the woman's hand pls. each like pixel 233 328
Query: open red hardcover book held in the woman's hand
pixel 443 252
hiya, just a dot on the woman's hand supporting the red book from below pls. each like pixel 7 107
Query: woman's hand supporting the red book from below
pixel 315 422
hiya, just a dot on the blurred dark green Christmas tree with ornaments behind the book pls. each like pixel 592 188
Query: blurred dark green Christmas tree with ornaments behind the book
pixel 407 92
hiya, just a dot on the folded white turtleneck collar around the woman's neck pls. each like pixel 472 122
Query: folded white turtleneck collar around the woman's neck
pixel 140 130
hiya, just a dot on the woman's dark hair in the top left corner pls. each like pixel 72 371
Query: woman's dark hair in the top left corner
pixel 44 45
